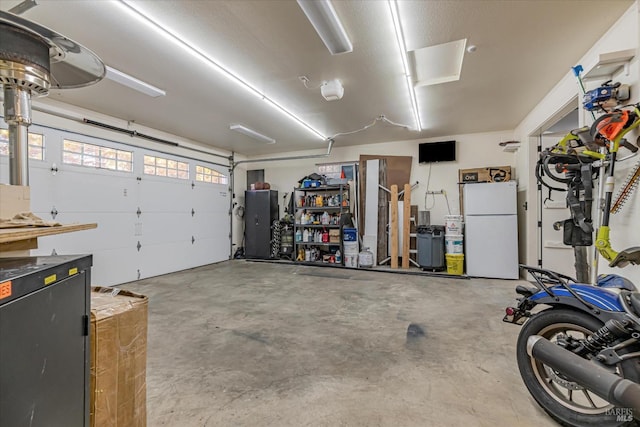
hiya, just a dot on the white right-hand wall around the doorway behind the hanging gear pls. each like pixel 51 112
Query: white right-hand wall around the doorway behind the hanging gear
pixel 625 34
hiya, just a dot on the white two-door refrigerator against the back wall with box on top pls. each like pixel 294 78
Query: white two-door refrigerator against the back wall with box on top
pixel 491 229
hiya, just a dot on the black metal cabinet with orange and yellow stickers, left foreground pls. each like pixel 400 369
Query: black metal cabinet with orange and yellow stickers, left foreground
pixel 44 346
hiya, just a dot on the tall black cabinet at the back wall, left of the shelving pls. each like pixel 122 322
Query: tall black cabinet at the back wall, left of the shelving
pixel 261 209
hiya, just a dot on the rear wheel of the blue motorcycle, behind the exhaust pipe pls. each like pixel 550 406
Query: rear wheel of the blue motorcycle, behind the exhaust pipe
pixel 564 400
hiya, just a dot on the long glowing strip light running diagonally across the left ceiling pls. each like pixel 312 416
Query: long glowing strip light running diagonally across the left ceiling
pixel 163 30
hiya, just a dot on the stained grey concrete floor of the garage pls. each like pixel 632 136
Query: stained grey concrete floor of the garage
pixel 258 344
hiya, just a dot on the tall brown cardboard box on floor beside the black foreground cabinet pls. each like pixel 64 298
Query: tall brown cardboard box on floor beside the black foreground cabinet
pixel 118 358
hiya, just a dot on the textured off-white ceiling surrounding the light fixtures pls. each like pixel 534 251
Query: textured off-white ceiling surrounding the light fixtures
pixel 523 49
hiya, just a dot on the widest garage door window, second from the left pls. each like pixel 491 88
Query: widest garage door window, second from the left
pixel 96 156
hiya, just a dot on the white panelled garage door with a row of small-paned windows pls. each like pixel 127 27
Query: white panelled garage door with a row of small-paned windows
pixel 153 218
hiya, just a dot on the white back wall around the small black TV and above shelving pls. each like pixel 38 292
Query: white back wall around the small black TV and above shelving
pixel 473 150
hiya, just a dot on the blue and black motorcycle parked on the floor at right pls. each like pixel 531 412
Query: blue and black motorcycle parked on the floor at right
pixel 580 357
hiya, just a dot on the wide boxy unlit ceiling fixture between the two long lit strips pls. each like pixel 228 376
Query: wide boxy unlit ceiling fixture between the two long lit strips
pixel 325 20
